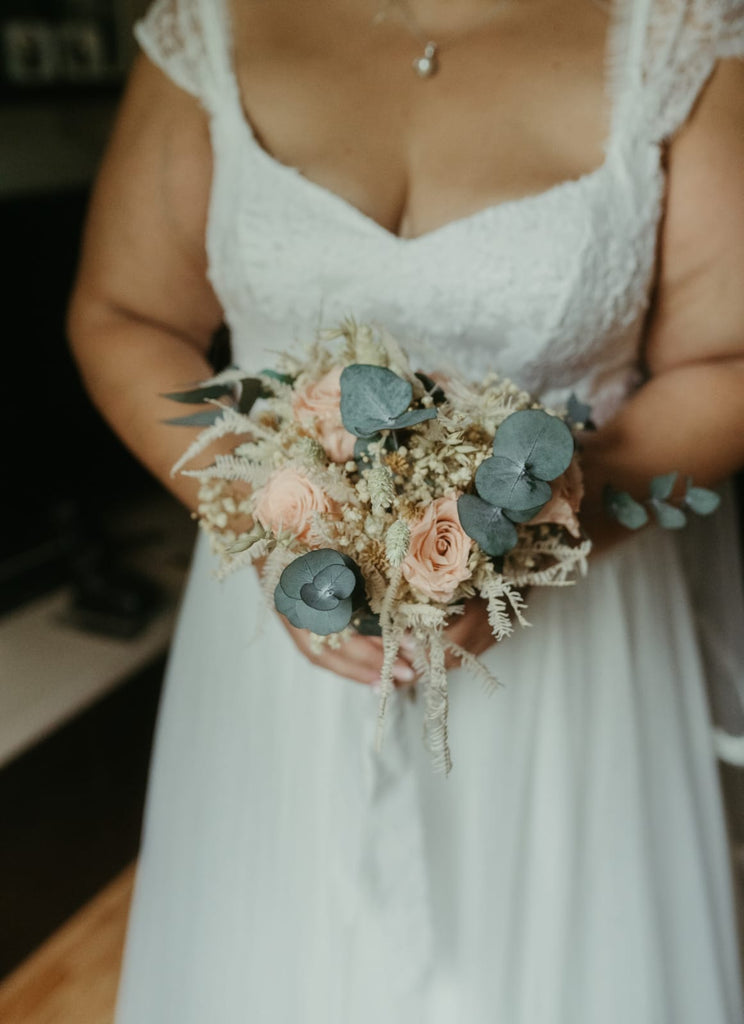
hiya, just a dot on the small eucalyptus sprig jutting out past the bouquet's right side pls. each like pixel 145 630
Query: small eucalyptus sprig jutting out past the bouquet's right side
pixel 670 514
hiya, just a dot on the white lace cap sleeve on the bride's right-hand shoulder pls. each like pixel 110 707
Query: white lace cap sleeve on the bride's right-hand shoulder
pixel 685 38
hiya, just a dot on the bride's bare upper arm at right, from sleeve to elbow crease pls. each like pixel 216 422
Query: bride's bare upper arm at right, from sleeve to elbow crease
pixel 699 306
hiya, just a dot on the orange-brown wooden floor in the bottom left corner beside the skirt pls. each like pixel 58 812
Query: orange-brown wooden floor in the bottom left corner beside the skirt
pixel 72 979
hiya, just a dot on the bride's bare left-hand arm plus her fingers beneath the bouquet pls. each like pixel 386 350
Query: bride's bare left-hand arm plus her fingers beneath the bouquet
pixel 143 314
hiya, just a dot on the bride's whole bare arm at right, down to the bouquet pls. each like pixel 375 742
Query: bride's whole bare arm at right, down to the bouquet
pixel 690 414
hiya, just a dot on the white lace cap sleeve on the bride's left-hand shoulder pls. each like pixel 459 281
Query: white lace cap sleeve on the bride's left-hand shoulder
pixel 183 38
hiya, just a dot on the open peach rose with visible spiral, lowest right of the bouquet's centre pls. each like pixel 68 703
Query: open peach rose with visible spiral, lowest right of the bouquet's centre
pixel 437 560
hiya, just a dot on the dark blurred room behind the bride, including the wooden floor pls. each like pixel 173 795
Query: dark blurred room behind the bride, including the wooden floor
pixel 93 552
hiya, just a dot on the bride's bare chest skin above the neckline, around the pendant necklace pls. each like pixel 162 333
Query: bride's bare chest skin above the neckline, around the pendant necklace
pixel 517 106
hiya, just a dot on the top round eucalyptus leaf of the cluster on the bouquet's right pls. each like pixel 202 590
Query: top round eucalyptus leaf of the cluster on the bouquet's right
pixel 536 441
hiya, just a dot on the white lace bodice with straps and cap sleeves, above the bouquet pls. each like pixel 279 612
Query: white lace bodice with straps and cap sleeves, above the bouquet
pixel 551 289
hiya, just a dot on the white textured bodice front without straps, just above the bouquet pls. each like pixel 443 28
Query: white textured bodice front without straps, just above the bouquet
pixel 547 288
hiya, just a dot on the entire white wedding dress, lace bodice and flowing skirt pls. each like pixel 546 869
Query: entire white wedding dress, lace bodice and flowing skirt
pixel 574 867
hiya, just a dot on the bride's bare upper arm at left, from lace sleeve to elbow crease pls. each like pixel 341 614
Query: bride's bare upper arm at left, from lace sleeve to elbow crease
pixel 145 250
